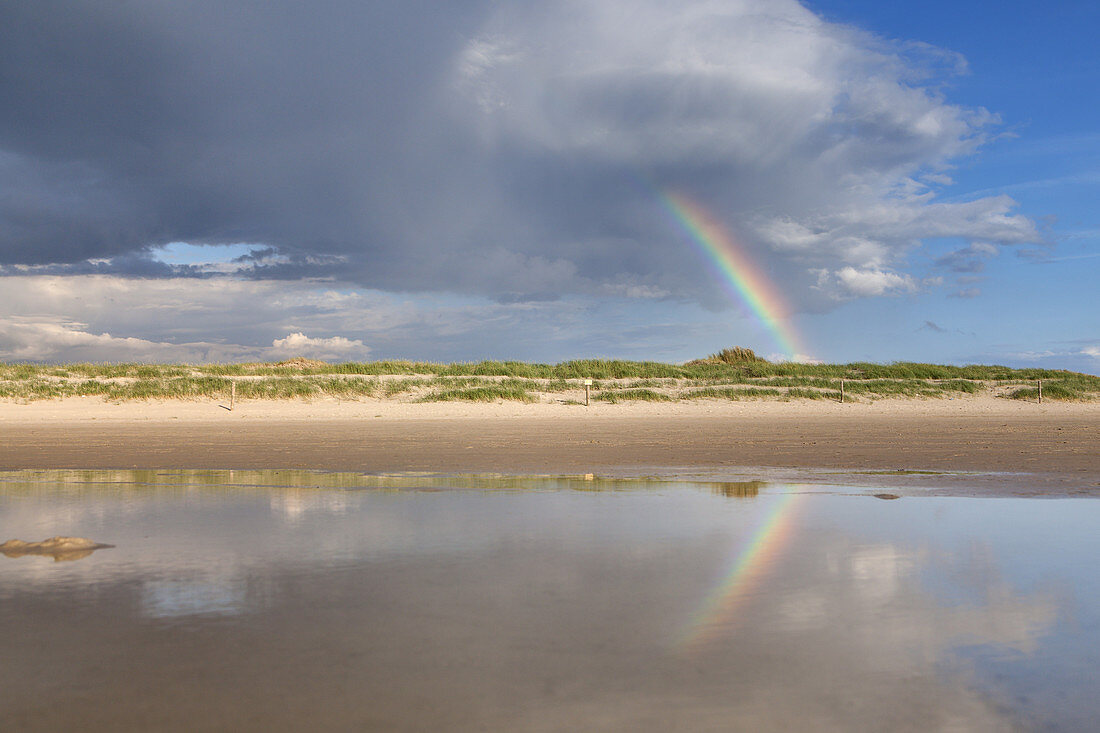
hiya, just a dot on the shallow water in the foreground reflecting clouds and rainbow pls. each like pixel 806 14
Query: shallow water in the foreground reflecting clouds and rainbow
pixel 289 599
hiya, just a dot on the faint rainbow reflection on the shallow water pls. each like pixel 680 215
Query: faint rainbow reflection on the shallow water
pixel 717 616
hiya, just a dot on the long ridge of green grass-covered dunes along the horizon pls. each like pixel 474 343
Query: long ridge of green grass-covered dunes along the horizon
pixel 615 381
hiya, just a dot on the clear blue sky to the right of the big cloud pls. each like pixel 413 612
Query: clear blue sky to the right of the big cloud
pixel 1036 67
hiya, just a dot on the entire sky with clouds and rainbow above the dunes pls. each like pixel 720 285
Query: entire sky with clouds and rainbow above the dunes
pixel 823 181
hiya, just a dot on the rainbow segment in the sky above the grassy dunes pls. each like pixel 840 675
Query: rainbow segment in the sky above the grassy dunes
pixel 740 276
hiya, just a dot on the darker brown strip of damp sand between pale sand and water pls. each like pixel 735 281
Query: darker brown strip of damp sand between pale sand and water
pixel 1035 454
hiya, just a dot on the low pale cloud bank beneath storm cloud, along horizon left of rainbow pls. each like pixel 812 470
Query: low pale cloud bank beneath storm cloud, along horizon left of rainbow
pixel 111 319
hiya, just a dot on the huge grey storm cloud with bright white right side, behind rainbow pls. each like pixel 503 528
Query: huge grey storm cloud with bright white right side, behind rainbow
pixel 509 150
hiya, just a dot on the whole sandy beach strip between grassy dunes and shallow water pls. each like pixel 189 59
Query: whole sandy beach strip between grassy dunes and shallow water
pixel 997 445
